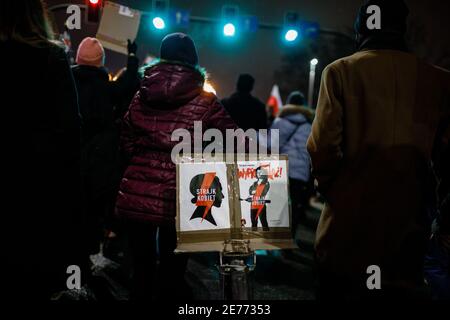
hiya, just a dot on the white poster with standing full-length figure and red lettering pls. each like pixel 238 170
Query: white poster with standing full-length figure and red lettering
pixel 264 194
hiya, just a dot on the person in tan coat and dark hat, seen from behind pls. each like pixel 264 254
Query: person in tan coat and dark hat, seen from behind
pixel 380 115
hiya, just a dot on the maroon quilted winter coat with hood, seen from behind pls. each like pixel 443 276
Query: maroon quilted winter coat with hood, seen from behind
pixel 171 97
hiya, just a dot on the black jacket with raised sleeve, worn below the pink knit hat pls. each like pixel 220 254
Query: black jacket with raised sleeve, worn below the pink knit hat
pixel 99 99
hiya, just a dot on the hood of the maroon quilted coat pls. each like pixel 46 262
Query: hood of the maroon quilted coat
pixel 170 85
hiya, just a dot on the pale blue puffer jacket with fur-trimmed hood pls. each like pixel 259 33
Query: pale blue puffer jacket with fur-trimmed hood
pixel 294 127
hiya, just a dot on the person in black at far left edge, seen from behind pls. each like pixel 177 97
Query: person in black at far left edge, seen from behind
pixel 42 224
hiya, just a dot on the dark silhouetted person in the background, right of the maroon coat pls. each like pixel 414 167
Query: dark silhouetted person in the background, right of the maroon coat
pixel 247 111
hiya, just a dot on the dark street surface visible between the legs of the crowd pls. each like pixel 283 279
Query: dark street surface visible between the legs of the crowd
pixel 279 275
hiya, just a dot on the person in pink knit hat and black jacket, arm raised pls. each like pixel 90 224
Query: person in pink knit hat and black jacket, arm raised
pixel 99 99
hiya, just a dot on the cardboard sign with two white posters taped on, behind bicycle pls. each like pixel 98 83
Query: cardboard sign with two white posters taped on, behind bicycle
pixel 217 201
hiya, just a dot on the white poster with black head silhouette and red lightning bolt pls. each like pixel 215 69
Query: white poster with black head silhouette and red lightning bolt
pixel 203 197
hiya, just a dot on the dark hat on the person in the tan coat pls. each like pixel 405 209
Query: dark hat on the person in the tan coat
pixel 394 14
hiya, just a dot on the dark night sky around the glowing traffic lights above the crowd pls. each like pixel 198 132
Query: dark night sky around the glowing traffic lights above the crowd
pixel 260 53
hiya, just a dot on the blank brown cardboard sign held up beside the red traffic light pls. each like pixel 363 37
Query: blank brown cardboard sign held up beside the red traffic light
pixel 118 24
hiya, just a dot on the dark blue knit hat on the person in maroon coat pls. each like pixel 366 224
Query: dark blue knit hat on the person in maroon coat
pixel 179 47
